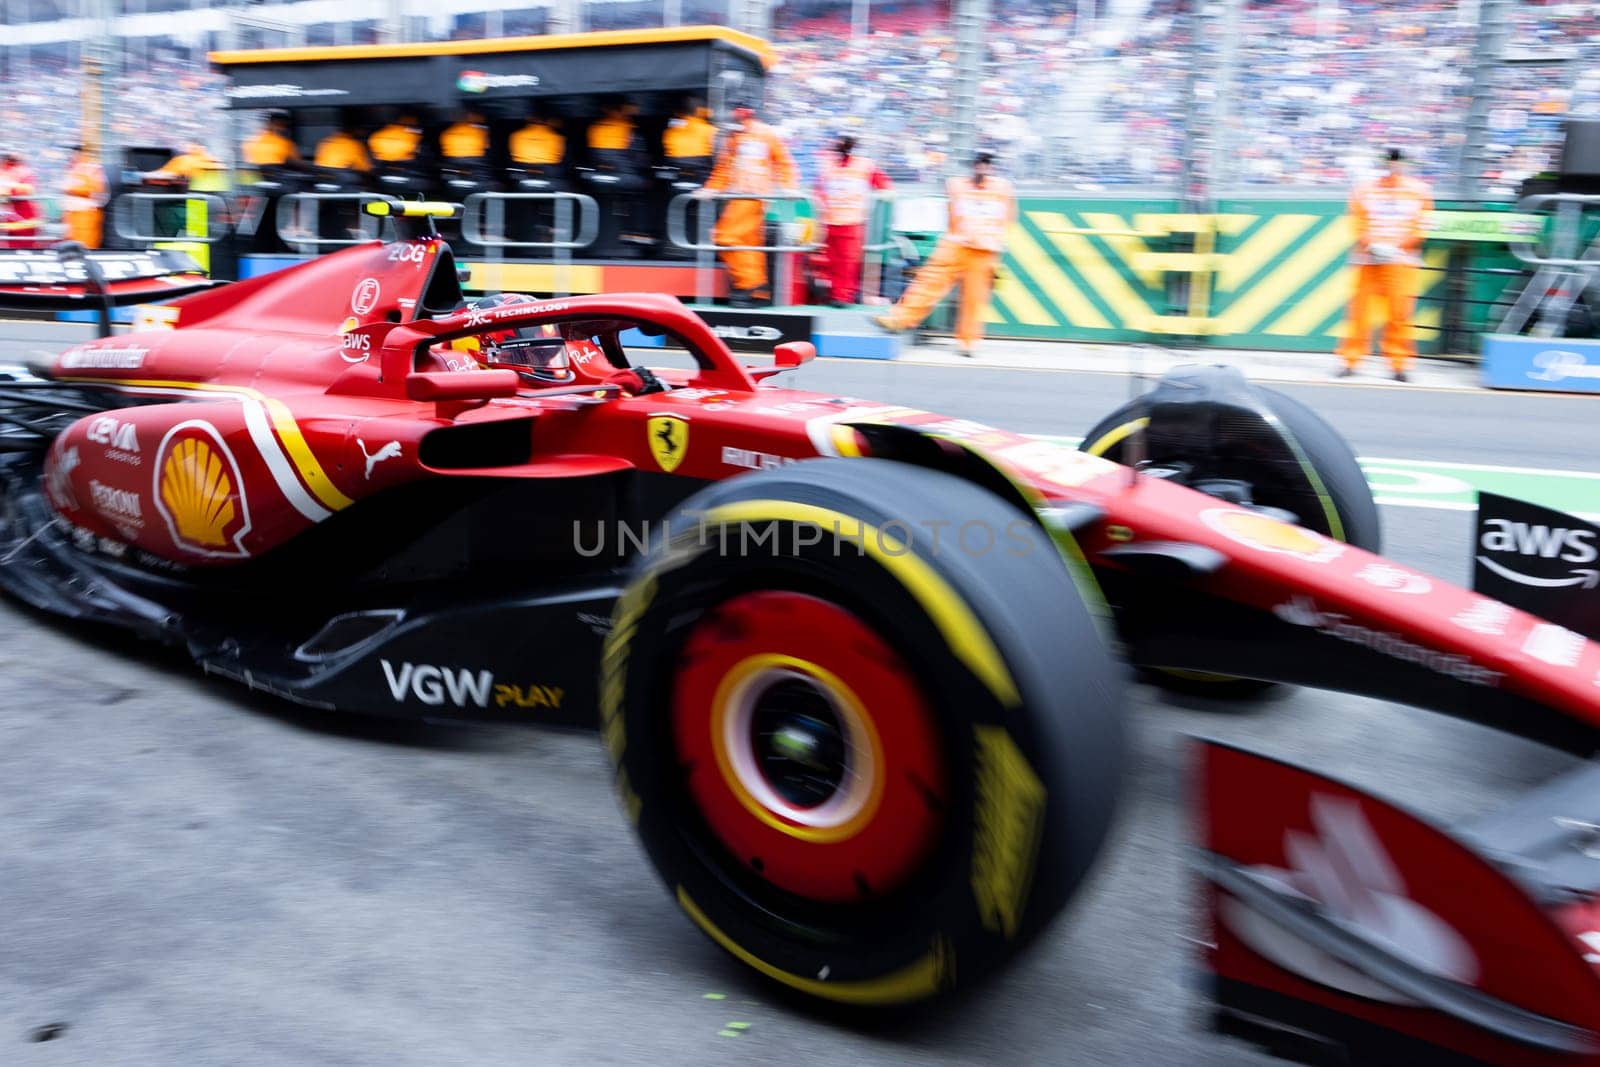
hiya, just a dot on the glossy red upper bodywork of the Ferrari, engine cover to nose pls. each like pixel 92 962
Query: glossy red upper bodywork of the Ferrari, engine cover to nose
pixel 297 406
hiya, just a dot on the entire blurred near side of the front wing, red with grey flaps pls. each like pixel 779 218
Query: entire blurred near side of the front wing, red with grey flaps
pixel 1346 930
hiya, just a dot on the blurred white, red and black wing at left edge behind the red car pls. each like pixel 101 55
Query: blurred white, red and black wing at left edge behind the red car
pixel 70 279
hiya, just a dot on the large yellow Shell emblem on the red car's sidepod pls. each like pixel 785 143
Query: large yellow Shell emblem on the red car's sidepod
pixel 201 494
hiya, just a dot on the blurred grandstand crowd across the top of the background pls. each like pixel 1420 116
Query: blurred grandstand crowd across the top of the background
pixel 1078 95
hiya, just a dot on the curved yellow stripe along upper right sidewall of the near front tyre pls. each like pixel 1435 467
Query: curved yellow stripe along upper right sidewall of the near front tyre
pixel 951 615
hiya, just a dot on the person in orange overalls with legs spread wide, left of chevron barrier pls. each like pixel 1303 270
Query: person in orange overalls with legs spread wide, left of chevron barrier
pixel 982 209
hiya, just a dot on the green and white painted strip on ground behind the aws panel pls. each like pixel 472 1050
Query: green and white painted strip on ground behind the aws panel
pixel 1455 487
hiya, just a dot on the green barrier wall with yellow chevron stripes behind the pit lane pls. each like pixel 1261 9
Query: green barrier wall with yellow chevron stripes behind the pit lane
pixel 1271 274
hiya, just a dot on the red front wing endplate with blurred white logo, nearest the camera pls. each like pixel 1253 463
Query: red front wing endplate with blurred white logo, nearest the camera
pixel 1407 887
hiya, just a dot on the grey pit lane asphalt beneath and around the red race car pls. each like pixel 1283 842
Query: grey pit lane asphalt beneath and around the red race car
pixel 193 874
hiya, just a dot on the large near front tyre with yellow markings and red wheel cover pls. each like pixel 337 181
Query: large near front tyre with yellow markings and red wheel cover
pixel 868 764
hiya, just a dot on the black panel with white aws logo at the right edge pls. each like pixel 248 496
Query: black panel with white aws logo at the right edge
pixel 1540 561
